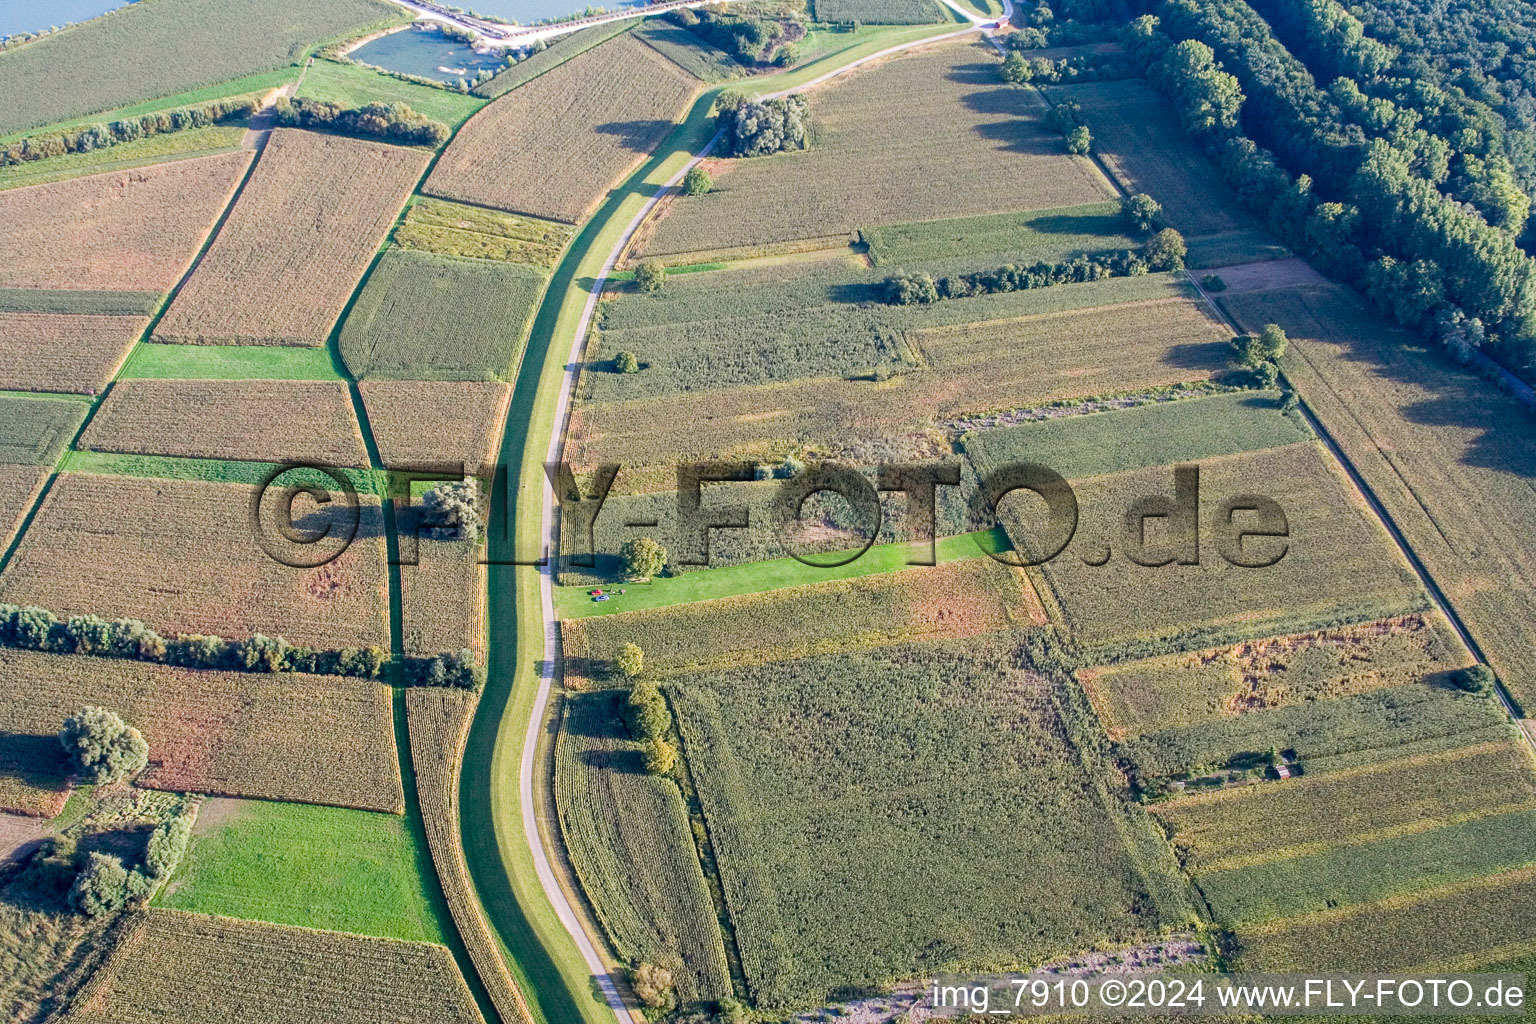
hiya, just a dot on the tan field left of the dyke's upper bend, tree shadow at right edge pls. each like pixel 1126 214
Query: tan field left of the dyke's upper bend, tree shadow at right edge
pixel 557 145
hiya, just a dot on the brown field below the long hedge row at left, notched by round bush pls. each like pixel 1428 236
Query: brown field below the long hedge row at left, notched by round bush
pixel 314 739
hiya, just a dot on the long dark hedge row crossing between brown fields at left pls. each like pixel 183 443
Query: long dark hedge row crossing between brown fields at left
pixel 41 630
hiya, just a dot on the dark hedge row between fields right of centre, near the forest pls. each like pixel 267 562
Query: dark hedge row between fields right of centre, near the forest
pixel 1164 251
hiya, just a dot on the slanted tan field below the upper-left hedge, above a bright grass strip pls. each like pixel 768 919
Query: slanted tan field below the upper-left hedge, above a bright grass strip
pixel 299 240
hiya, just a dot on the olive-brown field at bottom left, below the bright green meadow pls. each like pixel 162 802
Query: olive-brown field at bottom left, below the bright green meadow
pixel 190 968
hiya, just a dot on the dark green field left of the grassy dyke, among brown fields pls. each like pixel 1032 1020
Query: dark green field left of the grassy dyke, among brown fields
pixel 442 319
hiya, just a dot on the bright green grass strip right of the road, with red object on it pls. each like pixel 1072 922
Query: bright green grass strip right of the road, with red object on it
pixel 756 578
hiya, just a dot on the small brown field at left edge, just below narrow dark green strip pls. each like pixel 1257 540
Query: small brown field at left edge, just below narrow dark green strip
pixel 64 352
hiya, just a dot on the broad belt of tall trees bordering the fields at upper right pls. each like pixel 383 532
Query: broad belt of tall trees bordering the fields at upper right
pixel 1365 211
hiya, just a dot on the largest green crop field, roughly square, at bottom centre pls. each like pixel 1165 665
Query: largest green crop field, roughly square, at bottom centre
pixel 879 884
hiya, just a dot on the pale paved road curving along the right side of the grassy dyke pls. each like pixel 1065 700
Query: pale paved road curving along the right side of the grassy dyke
pixel 551 529
